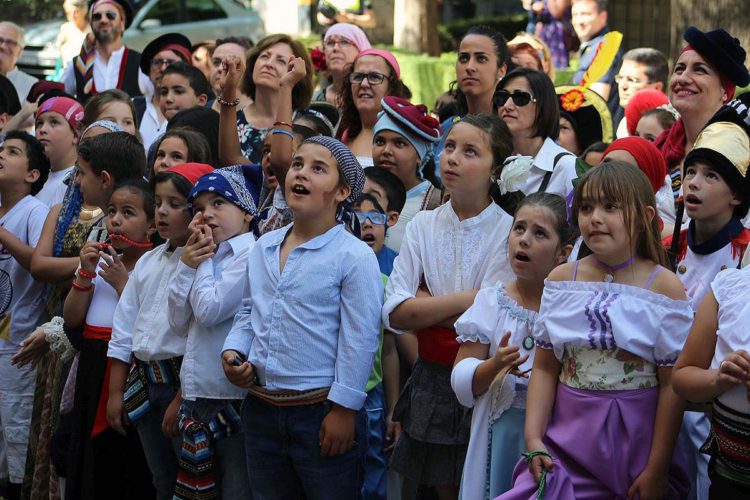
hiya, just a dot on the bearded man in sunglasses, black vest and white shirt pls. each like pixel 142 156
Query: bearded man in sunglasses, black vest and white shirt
pixel 105 62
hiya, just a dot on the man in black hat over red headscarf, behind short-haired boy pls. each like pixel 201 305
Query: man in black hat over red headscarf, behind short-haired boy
pixel 157 55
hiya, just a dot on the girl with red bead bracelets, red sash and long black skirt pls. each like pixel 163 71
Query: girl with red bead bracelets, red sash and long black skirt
pixel 100 458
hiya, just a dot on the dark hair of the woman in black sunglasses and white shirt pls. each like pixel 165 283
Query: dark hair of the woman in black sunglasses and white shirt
pixel 547 119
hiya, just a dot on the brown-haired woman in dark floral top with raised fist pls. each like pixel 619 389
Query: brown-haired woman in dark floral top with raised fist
pixel 266 63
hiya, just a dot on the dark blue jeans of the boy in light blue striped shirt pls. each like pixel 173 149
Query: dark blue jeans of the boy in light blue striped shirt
pixel 283 453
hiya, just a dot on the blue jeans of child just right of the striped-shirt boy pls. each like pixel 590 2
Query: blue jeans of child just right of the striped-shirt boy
pixel 374 459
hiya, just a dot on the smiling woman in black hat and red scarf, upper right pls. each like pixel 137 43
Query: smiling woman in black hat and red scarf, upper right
pixel 697 89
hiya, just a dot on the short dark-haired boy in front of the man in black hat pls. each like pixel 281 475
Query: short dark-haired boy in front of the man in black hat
pixel 183 86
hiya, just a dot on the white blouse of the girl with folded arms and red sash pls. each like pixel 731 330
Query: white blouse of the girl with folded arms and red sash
pixel 450 255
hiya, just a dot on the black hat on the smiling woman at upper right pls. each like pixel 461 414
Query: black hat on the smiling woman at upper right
pixel 723 51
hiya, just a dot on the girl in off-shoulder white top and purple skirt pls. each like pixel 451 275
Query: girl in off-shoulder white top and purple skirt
pixel 610 327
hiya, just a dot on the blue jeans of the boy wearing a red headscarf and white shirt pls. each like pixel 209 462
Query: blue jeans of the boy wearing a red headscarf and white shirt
pixel 161 452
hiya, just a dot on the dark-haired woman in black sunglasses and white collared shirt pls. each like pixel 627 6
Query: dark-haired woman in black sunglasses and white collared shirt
pixel 528 104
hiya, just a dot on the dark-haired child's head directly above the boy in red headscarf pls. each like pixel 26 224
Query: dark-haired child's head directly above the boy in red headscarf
pixel 177 146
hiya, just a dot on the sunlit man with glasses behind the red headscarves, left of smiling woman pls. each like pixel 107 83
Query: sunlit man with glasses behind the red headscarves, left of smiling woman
pixel 641 68
